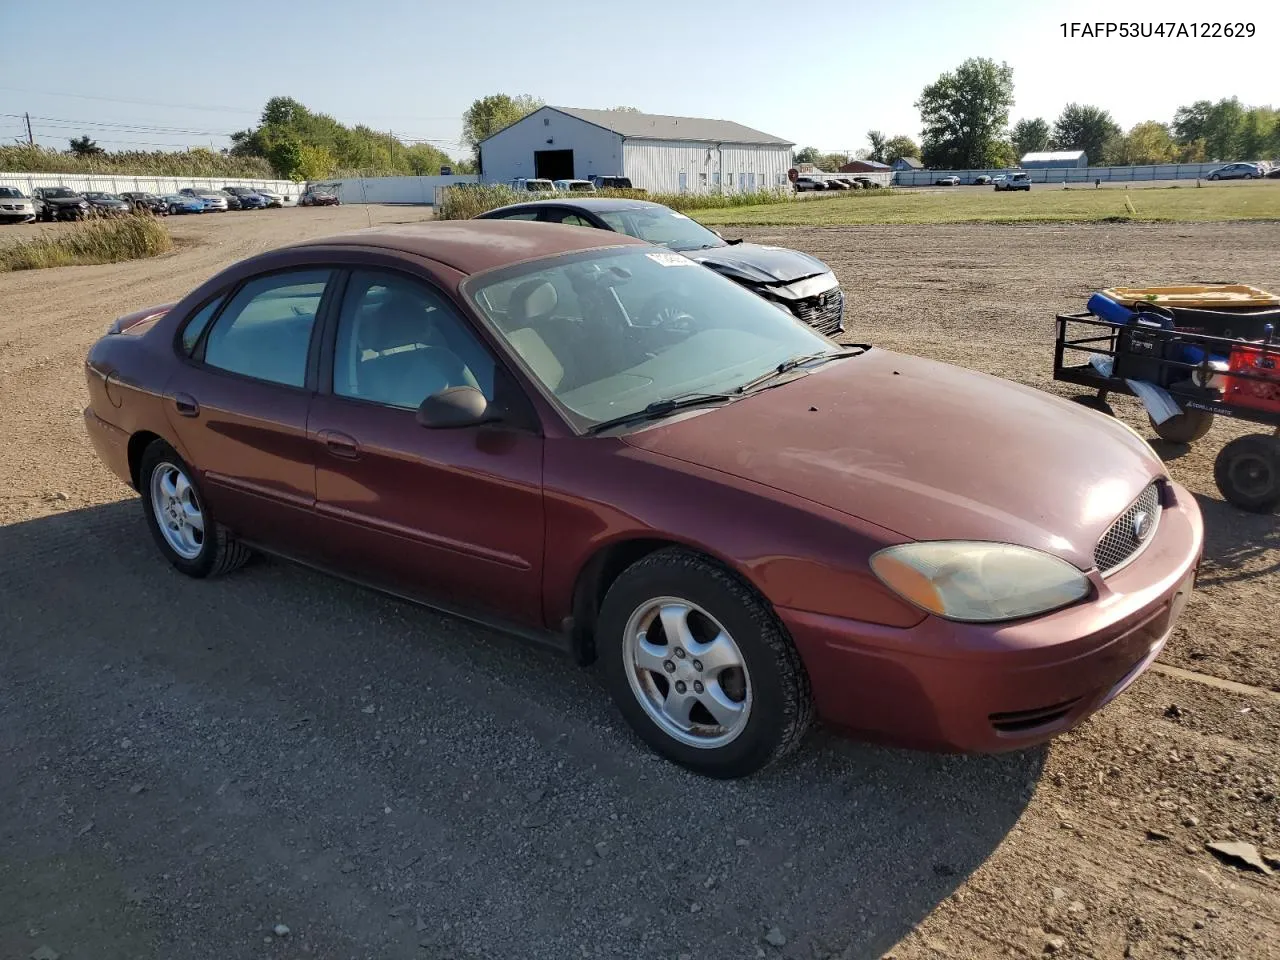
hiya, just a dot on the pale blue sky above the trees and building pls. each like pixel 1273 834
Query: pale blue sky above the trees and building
pixel 816 74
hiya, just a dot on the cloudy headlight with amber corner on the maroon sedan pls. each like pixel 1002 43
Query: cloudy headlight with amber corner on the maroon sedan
pixel 979 582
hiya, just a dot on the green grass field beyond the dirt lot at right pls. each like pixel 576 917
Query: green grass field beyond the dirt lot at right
pixel 1044 204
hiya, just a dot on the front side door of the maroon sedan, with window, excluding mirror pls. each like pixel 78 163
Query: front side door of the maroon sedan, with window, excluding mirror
pixel 454 516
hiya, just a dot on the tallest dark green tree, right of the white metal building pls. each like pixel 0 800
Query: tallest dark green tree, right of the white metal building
pixel 964 113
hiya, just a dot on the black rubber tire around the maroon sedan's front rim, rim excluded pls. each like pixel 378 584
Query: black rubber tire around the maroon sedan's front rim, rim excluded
pixel 781 703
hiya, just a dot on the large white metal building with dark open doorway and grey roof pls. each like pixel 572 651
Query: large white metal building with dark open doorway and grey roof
pixel 660 154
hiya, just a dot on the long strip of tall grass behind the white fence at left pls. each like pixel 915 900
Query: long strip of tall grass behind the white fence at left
pixel 135 163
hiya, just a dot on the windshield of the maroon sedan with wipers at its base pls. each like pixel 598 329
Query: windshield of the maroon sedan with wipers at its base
pixel 607 333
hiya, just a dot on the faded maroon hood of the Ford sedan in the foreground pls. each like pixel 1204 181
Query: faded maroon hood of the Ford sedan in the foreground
pixel 926 450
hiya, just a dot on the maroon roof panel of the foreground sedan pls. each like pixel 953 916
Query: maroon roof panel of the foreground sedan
pixel 474 246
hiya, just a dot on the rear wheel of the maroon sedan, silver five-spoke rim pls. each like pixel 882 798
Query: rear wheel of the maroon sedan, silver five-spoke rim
pixel 185 531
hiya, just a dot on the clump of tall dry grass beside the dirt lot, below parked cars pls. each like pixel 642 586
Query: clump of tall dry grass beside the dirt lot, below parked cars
pixel 100 241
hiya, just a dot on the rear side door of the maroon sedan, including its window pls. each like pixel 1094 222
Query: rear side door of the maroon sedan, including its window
pixel 240 406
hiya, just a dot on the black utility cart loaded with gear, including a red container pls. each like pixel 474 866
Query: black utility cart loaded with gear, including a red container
pixel 1208 377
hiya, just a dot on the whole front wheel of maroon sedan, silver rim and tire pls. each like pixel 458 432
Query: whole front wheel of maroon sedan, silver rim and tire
pixel 701 666
